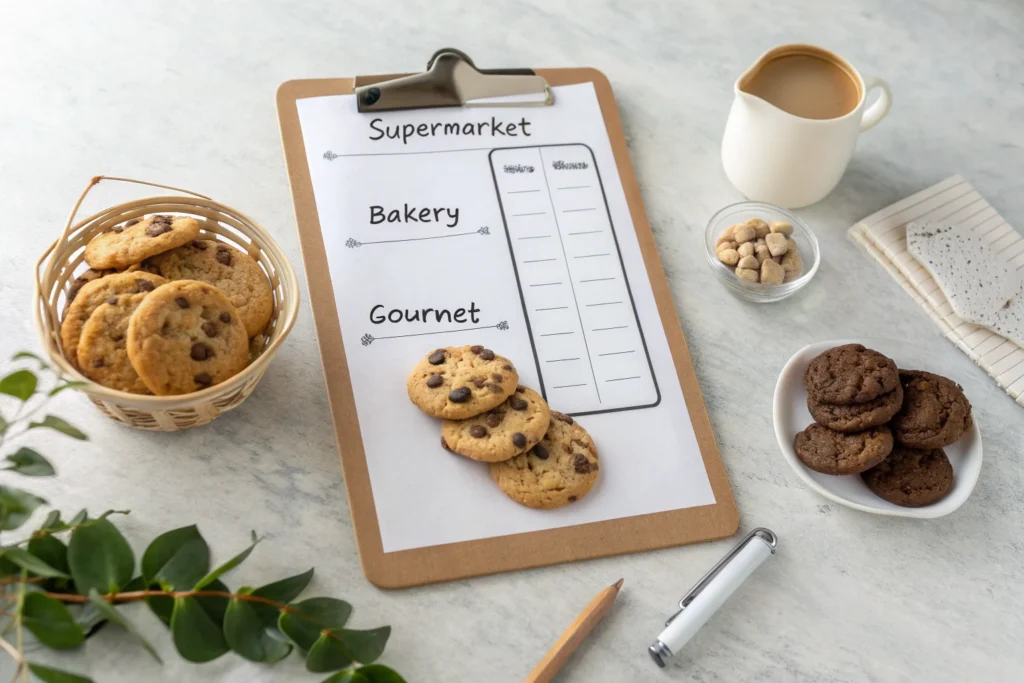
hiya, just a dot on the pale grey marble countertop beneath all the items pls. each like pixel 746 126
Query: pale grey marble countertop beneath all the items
pixel 184 94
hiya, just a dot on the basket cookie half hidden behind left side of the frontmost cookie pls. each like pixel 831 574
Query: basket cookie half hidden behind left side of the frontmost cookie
pixel 103 353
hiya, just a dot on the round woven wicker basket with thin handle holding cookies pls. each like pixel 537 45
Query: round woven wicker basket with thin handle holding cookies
pixel 63 262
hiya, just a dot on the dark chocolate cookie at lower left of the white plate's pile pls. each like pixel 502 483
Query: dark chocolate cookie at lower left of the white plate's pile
pixel 836 453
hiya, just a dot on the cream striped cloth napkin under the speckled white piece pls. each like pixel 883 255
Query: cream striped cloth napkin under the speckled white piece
pixel 955 200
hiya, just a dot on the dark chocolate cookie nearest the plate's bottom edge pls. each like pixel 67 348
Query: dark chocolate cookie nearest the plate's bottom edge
pixel 912 478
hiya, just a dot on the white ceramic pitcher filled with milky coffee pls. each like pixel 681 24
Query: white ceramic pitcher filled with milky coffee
pixel 777 157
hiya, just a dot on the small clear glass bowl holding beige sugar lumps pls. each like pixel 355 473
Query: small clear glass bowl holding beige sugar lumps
pixel 807 245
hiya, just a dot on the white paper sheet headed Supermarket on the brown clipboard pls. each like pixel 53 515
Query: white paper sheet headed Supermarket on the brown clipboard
pixel 506 228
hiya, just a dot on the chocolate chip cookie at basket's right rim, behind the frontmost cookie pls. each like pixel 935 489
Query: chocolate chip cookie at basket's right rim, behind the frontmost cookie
pixel 235 274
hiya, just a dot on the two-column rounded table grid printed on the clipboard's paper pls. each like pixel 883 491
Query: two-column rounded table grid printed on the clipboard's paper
pixel 587 339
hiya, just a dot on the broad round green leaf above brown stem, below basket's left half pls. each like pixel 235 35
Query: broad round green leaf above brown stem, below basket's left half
pixel 100 559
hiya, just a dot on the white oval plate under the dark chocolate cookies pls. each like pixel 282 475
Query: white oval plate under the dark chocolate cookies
pixel 792 416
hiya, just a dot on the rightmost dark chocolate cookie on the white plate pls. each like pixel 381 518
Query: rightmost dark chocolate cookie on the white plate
pixel 935 411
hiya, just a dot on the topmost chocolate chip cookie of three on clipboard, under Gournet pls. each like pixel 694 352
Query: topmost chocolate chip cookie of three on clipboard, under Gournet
pixel 460 382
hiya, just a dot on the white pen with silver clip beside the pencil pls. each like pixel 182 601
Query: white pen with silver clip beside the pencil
pixel 712 591
